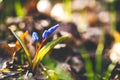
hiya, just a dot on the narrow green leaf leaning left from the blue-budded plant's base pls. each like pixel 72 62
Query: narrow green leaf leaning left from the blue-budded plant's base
pixel 24 47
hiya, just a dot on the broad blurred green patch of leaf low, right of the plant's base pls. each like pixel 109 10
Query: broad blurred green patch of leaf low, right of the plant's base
pixel 57 73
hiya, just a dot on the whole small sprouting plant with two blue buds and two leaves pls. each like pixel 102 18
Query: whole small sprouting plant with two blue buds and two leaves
pixel 42 50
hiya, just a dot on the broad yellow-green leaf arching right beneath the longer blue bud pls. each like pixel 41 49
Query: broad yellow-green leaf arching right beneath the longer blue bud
pixel 47 48
